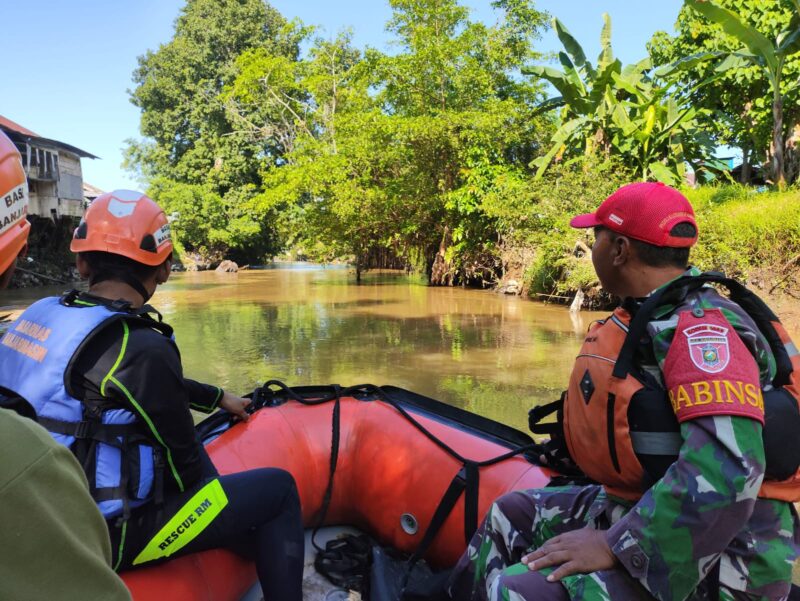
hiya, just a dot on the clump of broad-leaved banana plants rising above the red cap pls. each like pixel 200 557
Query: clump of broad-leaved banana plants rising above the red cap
pixel 620 111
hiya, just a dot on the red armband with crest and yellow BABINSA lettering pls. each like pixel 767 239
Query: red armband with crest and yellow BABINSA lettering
pixel 709 370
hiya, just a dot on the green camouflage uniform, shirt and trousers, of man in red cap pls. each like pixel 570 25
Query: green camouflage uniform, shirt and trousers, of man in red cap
pixel 704 514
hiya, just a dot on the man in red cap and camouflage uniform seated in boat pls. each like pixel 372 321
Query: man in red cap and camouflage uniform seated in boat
pixel 699 532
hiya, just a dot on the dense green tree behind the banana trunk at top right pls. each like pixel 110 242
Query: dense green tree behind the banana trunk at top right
pixel 751 98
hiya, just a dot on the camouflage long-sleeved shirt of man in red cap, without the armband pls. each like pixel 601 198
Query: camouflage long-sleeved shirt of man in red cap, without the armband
pixel 706 506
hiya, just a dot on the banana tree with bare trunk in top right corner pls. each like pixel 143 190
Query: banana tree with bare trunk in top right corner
pixel 769 54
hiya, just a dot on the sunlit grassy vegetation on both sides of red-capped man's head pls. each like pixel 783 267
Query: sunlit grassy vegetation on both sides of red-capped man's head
pixel 743 232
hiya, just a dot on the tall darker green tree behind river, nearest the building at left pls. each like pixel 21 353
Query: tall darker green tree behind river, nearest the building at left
pixel 189 137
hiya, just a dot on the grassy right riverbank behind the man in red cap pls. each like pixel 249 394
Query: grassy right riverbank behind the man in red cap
pixel 749 235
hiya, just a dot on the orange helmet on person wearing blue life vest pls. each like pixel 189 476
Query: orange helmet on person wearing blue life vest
pixel 127 223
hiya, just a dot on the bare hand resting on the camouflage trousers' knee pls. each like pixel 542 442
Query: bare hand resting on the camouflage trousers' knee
pixel 577 552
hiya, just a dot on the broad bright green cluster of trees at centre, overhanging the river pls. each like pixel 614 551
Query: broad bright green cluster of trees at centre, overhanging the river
pixel 393 155
